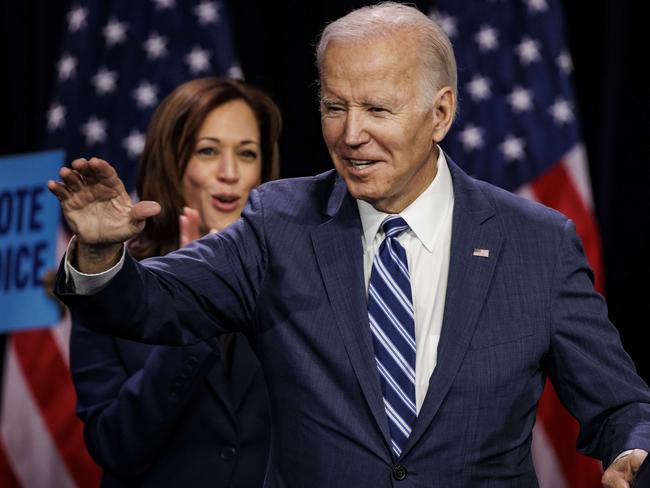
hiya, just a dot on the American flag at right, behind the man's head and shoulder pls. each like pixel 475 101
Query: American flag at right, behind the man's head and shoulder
pixel 517 128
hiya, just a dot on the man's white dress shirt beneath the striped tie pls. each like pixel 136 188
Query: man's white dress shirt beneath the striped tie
pixel 427 243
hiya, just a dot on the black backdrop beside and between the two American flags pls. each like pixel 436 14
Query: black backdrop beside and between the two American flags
pixel 609 50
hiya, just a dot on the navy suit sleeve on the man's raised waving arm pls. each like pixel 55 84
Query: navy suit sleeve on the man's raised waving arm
pixel 205 288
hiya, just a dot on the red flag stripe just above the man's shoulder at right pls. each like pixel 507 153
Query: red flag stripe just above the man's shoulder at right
pixel 555 189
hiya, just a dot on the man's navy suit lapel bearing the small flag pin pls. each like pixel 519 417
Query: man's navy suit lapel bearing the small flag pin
pixel 467 286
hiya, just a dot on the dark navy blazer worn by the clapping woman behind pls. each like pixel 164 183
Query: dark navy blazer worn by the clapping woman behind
pixel 171 416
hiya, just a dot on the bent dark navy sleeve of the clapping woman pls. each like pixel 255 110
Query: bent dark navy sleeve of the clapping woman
pixel 128 416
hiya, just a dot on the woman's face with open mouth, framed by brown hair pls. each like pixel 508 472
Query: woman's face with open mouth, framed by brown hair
pixel 225 166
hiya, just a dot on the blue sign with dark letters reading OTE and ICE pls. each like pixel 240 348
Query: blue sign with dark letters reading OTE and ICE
pixel 29 223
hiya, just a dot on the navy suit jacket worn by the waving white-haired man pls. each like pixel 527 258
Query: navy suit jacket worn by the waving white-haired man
pixel 290 274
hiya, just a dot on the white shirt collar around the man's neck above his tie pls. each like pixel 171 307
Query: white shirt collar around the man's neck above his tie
pixel 424 216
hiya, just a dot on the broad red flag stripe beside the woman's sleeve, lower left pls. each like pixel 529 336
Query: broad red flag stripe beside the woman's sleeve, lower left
pixel 49 380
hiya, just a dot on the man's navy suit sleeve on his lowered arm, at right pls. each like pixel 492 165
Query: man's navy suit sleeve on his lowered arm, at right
pixel 591 372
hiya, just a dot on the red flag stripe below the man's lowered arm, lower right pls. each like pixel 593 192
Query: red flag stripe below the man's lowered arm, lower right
pixel 562 429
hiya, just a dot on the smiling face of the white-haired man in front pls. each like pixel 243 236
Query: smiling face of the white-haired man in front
pixel 378 128
